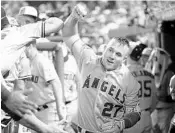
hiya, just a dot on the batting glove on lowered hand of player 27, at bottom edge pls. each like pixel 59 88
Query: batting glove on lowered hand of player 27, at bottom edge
pixel 113 126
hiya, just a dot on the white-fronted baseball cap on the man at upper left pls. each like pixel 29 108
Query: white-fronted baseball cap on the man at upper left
pixel 28 10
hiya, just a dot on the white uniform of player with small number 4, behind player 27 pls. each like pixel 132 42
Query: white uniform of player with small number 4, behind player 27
pixel 71 82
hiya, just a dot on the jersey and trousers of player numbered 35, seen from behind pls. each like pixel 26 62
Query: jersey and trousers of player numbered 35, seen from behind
pixel 146 96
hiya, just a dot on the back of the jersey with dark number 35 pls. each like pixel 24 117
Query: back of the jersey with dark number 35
pixel 147 87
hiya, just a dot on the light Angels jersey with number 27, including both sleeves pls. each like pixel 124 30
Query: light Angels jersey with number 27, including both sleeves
pixel 104 95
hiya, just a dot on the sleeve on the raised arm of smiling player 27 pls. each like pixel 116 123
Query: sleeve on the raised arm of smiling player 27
pixel 80 50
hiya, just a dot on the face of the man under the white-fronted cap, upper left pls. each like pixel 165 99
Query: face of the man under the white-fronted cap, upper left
pixel 23 20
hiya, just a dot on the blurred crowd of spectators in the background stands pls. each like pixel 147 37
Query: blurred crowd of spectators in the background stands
pixel 104 15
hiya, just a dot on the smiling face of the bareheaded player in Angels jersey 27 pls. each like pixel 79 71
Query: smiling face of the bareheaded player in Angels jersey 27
pixel 114 55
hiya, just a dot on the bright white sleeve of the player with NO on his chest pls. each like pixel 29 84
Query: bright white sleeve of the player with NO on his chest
pixel 47 70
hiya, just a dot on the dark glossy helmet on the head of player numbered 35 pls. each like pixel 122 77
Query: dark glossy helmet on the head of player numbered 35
pixel 137 52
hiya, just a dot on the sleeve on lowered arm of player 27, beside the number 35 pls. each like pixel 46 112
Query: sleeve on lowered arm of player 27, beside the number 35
pixel 132 100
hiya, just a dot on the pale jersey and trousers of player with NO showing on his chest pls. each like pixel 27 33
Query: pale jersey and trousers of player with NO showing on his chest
pixel 43 71
